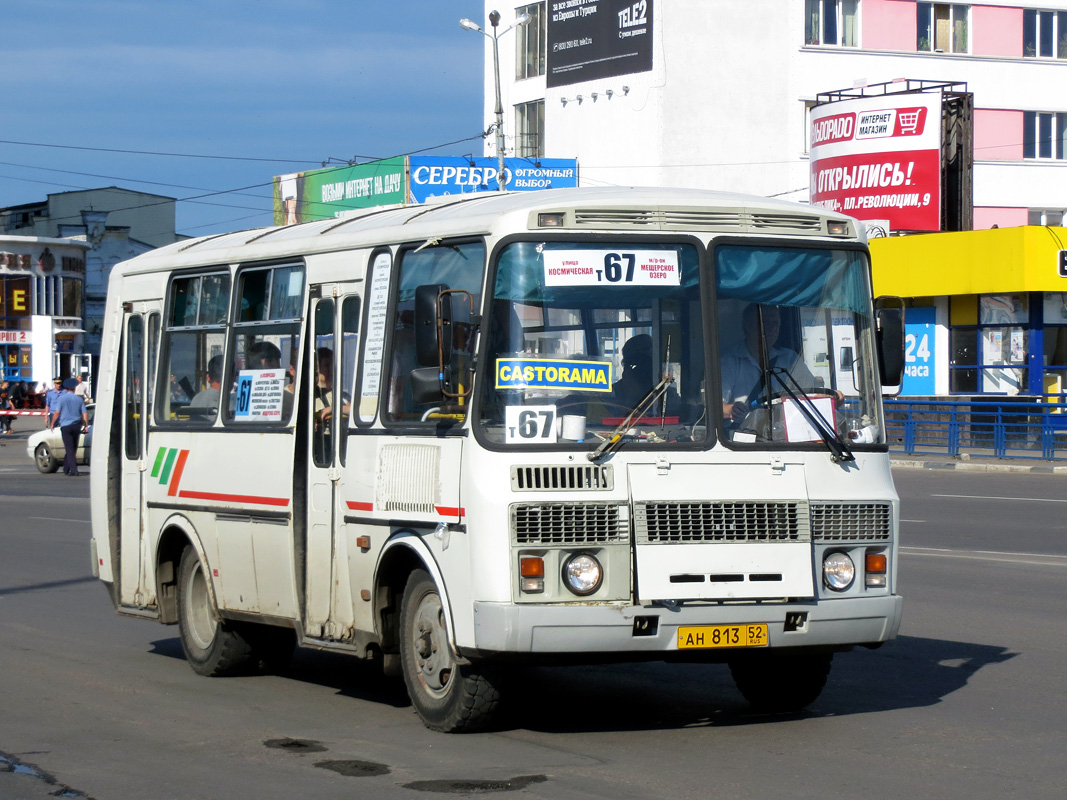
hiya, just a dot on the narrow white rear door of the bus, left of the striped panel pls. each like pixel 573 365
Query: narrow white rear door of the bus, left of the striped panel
pixel 141 332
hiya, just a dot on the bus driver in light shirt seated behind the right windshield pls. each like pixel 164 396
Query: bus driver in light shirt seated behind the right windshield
pixel 743 377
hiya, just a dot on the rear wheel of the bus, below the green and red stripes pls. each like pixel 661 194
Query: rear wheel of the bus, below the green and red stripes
pixel 211 647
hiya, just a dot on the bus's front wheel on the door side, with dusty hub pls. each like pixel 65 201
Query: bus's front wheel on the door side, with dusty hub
pixel 449 696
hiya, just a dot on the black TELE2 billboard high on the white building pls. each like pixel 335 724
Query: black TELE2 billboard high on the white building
pixel 592 40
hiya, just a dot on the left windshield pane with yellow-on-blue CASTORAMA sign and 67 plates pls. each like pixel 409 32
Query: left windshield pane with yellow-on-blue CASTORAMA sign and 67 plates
pixel 582 333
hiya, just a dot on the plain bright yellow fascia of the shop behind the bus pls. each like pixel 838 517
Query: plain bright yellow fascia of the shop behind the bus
pixel 995 262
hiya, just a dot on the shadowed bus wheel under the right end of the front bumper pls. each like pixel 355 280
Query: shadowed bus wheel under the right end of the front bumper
pixel 782 682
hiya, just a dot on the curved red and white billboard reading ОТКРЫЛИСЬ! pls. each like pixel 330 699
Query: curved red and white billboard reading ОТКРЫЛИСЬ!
pixel 880 158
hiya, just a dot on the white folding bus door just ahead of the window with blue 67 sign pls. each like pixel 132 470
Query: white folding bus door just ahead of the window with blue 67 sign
pixel 331 361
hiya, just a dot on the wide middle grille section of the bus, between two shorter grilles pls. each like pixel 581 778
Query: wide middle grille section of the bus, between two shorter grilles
pixel 721 522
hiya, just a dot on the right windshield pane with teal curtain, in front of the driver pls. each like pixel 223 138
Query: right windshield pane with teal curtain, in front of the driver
pixel 797 345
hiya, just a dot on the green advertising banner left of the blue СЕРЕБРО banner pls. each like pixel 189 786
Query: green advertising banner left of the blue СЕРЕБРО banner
pixel 322 195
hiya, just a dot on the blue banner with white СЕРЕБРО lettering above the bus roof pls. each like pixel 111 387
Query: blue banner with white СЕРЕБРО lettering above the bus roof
pixel 436 177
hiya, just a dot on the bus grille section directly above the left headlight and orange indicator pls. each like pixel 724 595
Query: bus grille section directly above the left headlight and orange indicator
pixel 569 523
